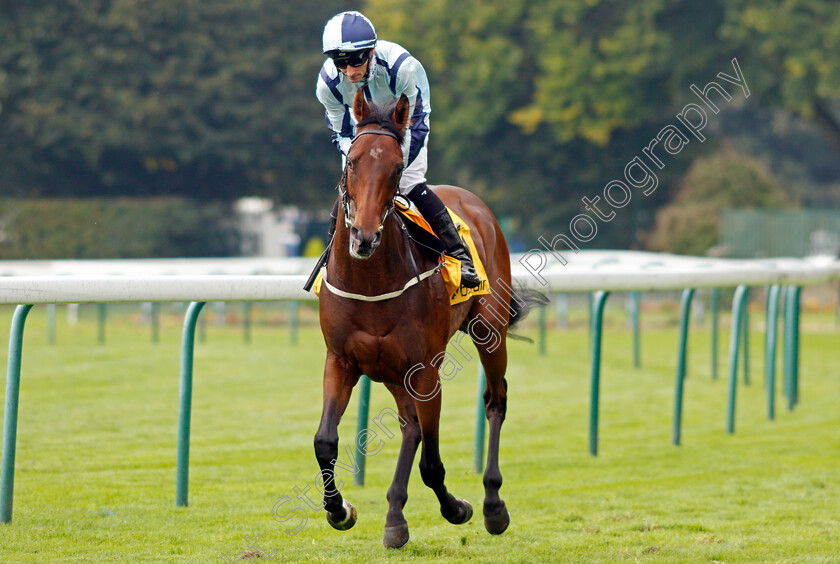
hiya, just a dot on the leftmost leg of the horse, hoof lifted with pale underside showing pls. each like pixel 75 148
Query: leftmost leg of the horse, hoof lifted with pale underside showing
pixel 339 379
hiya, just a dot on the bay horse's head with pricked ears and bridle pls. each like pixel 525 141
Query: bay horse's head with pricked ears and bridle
pixel 374 167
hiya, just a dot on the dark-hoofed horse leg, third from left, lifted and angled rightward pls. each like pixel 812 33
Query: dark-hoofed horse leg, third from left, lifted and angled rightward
pixel 427 391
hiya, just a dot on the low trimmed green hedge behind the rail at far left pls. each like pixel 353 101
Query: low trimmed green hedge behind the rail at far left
pixel 114 228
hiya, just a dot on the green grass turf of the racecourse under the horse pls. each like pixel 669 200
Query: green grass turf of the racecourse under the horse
pixel 95 473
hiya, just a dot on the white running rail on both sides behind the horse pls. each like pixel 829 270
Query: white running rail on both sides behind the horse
pixel 45 282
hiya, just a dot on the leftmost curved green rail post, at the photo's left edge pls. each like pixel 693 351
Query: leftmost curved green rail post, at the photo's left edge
pixel 7 465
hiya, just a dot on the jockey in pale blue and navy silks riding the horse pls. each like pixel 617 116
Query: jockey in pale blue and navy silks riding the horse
pixel 384 70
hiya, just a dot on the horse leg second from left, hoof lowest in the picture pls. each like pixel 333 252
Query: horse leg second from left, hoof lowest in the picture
pixel 396 528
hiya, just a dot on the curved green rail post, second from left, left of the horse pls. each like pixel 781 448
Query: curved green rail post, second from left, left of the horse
pixel 185 404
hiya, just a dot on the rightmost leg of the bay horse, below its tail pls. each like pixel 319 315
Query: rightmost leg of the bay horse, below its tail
pixel 496 515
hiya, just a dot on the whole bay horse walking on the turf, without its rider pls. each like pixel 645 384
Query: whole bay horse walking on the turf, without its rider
pixel 394 337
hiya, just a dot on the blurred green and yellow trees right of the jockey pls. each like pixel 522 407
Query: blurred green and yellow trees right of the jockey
pixel 537 103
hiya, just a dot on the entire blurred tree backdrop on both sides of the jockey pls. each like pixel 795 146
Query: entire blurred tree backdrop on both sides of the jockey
pixel 535 103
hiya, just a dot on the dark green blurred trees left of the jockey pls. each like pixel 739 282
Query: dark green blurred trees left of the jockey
pixel 209 98
